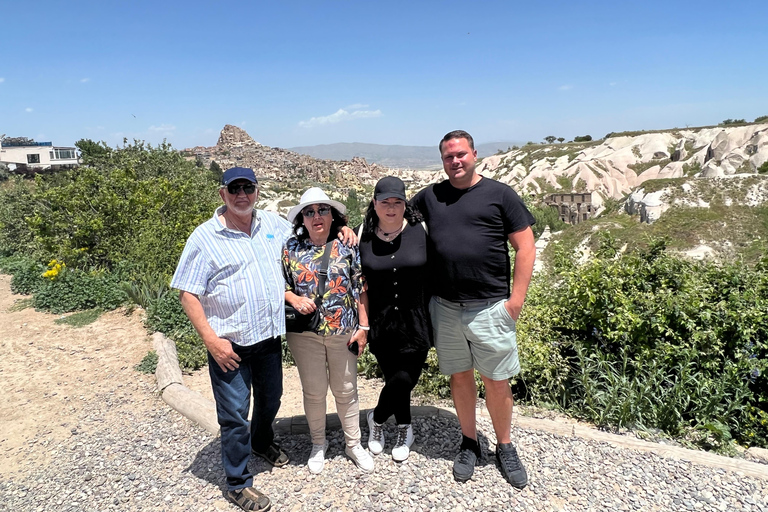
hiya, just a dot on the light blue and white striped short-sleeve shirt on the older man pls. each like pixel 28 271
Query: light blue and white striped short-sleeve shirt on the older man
pixel 238 278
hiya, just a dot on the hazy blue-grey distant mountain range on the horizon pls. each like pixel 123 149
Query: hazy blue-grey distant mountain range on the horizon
pixel 393 156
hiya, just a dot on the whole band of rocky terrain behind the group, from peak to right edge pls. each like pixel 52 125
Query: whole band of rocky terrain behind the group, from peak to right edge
pixel 694 164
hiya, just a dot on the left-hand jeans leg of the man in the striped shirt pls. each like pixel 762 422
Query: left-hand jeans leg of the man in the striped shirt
pixel 232 392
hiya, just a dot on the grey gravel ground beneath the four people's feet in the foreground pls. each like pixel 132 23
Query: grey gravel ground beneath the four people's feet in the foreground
pixel 151 458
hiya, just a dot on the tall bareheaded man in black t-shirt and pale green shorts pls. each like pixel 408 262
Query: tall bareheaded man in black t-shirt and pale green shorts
pixel 470 219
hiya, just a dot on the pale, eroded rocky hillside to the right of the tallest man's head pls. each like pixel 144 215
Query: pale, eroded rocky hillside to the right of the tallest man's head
pixel 617 165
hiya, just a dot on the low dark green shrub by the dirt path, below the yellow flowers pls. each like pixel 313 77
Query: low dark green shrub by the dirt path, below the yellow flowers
pixel 74 290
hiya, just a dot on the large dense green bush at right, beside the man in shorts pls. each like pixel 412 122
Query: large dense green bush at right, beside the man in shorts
pixel 645 340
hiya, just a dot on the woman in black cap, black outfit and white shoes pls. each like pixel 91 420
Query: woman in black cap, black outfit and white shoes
pixel 393 253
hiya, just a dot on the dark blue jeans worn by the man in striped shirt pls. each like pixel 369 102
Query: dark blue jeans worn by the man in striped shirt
pixel 260 368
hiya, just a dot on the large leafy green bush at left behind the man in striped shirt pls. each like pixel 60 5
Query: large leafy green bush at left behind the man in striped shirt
pixel 137 205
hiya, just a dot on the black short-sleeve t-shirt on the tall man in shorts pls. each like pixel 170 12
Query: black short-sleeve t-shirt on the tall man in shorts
pixel 469 230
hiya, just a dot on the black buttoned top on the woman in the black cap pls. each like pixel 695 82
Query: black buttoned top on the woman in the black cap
pixel 397 292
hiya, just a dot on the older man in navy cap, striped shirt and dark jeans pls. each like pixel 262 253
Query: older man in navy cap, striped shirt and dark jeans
pixel 231 285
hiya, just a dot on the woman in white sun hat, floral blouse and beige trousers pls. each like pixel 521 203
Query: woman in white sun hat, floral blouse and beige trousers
pixel 323 356
